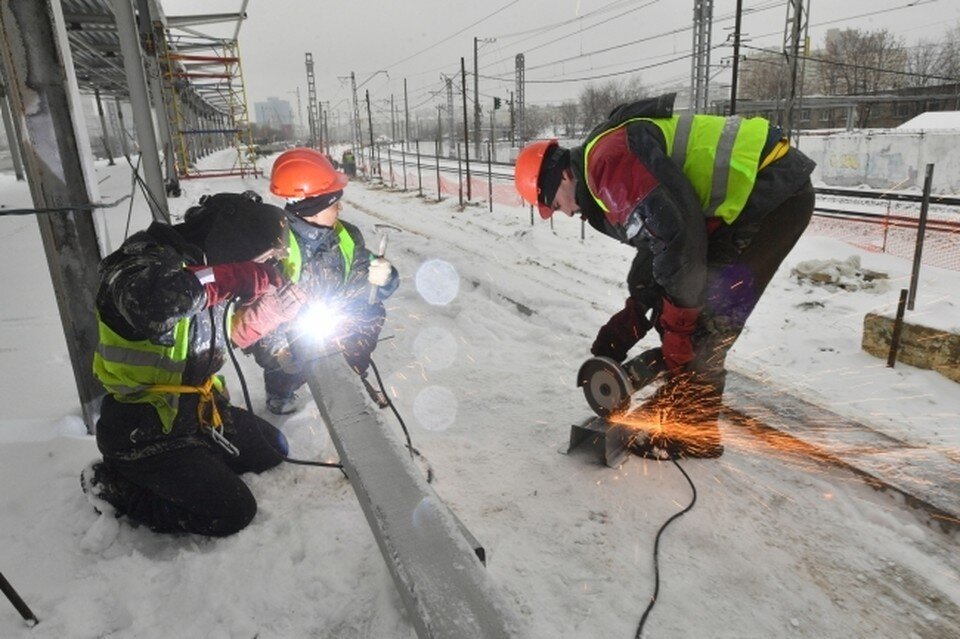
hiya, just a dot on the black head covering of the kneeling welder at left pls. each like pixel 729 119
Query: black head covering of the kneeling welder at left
pixel 235 227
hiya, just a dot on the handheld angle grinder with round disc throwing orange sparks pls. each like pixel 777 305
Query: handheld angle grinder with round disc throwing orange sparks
pixel 608 385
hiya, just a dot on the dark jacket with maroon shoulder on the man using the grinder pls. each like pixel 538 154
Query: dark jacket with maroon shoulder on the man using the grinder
pixel 672 240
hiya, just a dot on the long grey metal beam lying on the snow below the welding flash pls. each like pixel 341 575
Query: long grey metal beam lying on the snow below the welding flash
pixel 441 581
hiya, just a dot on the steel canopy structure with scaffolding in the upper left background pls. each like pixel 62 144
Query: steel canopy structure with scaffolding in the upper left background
pixel 195 80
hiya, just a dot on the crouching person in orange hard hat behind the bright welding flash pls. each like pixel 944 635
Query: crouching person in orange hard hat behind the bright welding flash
pixel 329 260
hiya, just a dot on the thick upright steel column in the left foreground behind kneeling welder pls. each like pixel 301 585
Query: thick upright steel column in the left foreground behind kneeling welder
pixel 45 100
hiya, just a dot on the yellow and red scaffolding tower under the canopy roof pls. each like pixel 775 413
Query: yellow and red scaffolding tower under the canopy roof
pixel 209 106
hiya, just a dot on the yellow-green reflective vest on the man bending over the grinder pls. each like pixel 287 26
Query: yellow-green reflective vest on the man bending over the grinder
pixel 719 155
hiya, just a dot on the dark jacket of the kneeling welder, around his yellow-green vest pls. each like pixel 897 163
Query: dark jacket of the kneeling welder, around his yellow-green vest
pixel 144 291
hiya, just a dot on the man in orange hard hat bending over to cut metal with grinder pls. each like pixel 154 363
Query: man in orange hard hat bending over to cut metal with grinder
pixel 712 206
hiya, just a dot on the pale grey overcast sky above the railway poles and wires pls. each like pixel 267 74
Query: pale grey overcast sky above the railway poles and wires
pixel 386 41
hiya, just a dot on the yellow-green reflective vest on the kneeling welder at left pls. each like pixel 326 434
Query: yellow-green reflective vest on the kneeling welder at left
pixel 128 368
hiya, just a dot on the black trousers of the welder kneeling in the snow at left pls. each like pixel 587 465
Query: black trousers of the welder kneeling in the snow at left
pixel 195 488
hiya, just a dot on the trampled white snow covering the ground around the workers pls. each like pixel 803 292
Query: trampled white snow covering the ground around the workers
pixel 491 322
